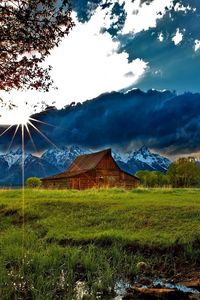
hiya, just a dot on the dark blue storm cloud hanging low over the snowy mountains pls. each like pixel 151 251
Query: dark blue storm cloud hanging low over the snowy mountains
pixel 160 120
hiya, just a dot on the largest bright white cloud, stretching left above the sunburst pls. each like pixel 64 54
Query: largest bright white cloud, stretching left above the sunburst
pixel 85 65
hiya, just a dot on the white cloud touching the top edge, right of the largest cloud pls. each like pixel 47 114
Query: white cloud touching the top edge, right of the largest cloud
pixel 145 16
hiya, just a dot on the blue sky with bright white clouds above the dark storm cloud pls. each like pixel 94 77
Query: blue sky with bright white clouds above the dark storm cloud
pixel 120 45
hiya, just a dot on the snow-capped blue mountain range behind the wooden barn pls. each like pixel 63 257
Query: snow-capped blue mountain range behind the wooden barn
pixel 55 160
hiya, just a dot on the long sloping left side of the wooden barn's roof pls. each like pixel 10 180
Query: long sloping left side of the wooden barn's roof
pixel 82 164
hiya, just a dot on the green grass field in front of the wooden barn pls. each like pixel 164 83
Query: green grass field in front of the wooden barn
pixel 98 236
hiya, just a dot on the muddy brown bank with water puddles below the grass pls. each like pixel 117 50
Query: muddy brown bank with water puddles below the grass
pixel 144 288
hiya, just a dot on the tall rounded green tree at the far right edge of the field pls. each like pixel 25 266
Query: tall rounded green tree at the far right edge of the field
pixel 184 173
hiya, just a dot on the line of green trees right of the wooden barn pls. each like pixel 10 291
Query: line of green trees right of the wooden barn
pixel 183 173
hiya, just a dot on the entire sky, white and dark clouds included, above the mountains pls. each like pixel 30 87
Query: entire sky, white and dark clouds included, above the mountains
pixel 121 46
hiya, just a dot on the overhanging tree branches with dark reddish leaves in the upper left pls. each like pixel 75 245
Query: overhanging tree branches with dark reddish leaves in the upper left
pixel 29 29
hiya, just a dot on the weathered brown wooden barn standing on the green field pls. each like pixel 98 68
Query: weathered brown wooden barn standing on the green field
pixel 92 170
